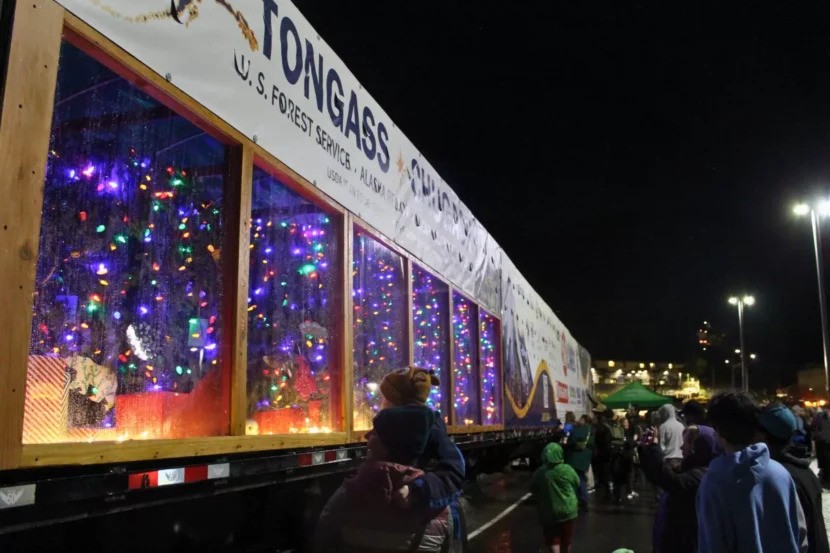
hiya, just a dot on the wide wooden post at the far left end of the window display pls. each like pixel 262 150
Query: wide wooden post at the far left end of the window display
pixel 25 126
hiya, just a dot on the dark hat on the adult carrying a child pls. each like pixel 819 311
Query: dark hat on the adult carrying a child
pixel 404 430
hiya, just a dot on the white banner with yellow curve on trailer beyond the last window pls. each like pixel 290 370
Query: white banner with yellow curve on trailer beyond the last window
pixel 535 343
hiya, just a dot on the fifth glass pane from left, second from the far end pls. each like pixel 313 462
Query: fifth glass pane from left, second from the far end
pixel 465 361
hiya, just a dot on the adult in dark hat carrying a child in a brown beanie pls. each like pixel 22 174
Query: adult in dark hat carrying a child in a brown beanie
pixel 364 516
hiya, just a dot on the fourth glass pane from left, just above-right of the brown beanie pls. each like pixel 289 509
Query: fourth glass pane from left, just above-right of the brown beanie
pixel 430 314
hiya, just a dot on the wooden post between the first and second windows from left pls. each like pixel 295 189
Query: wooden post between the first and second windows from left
pixel 238 190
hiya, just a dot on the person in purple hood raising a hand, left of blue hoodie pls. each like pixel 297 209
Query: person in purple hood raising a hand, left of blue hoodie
pixel 675 526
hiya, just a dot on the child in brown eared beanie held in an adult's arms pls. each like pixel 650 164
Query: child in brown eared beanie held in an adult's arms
pixel 440 485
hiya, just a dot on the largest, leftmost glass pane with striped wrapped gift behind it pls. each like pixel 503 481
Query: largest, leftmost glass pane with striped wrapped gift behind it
pixel 128 299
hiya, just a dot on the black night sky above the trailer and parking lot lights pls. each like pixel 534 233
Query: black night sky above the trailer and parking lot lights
pixel 637 161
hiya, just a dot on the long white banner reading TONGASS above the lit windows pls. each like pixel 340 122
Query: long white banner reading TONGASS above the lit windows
pixel 260 66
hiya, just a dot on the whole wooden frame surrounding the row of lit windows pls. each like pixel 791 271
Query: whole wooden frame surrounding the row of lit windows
pixel 25 129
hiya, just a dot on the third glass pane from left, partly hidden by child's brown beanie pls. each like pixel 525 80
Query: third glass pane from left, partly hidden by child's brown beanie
pixel 380 314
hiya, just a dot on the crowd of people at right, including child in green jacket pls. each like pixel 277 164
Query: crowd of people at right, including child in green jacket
pixel 735 477
